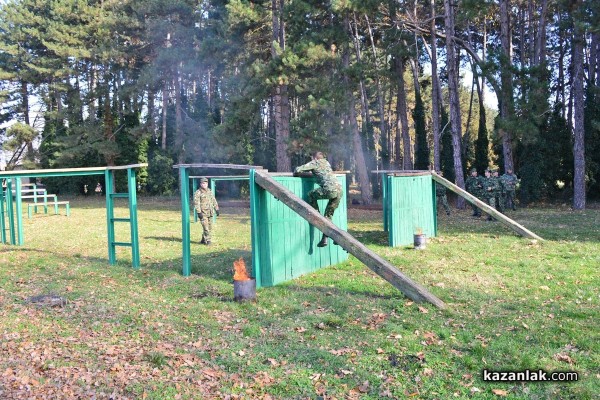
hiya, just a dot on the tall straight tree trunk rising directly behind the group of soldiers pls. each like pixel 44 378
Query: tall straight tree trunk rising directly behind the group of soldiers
pixel 506 101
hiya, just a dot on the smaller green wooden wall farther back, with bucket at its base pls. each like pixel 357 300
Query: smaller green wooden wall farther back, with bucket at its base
pixel 409 205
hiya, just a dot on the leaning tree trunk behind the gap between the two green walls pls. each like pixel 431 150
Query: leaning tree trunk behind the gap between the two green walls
pixel 359 155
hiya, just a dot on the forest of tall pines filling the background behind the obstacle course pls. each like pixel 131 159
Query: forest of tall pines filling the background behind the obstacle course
pixel 374 84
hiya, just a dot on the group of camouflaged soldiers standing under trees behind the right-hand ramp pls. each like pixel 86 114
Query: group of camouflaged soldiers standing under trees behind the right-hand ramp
pixel 497 191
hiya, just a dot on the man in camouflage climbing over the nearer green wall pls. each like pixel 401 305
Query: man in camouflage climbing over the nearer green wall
pixel 329 188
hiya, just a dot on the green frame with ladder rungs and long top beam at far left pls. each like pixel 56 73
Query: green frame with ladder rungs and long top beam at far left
pixel 17 235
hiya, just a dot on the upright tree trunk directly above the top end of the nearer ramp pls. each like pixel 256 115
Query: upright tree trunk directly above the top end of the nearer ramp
pixel 281 105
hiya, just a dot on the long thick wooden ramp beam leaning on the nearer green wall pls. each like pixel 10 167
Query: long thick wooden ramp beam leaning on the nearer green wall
pixel 381 267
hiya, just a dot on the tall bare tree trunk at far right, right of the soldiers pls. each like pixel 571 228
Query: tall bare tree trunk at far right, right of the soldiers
pixel 579 134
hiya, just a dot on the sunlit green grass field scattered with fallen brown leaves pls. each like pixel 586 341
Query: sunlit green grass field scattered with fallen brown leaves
pixel 342 332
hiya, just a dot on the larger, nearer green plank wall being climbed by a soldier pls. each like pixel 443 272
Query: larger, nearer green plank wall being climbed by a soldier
pixel 284 245
